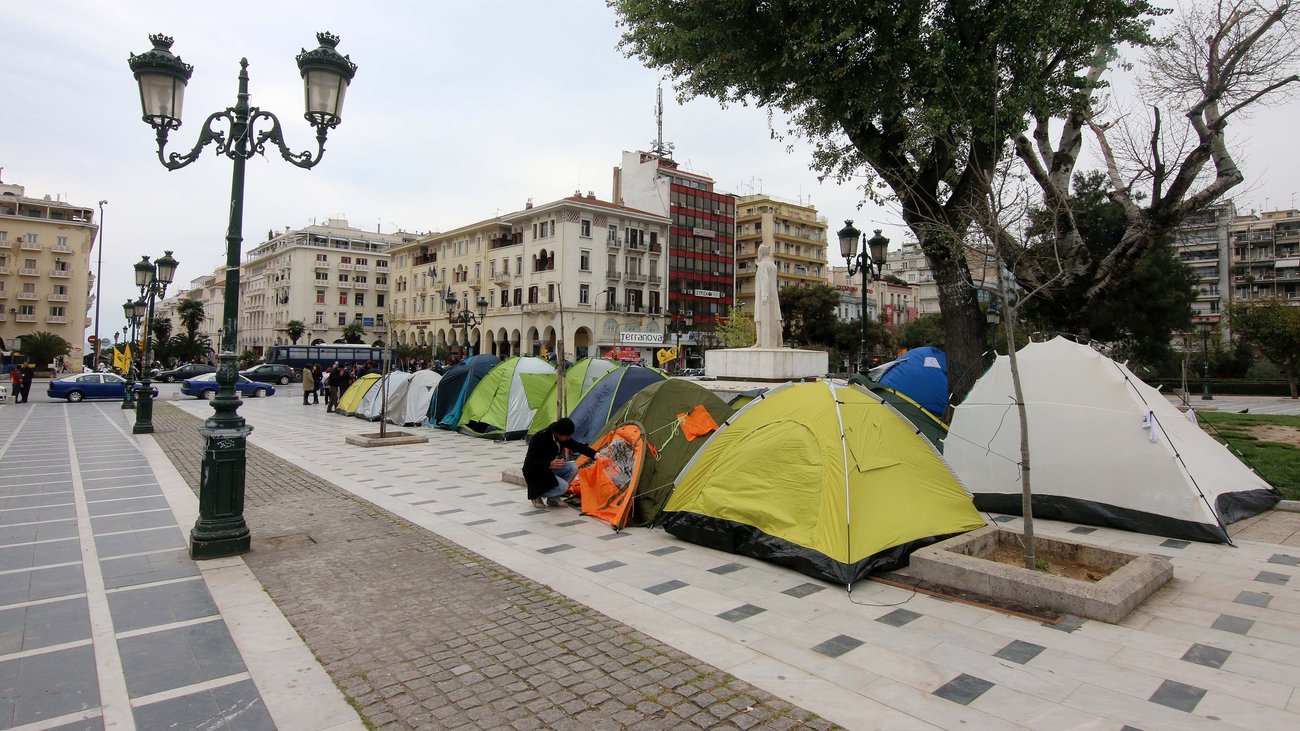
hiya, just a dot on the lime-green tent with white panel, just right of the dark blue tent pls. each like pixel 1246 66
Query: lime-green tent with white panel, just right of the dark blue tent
pixel 505 401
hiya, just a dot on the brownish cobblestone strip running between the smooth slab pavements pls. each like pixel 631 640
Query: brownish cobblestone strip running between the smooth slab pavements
pixel 423 634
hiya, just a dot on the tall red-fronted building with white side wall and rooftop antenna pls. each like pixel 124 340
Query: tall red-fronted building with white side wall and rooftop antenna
pixel 701 269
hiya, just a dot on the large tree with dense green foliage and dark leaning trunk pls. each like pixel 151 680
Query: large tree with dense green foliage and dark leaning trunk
pixel 925 96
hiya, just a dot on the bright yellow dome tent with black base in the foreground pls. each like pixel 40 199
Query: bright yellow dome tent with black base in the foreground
pixel 822 478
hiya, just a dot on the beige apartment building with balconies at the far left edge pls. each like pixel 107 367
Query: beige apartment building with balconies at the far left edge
pixel 45 269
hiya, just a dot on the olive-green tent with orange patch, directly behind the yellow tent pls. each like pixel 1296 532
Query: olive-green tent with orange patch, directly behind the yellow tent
pixel 656 410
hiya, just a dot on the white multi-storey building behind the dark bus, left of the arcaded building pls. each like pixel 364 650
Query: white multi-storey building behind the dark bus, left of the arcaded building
pixel 327 276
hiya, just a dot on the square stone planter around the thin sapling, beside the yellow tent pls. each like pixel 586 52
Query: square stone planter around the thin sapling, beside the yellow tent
pixel 959 564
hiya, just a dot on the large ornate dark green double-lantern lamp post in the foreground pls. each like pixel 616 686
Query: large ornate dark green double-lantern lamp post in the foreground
pixel 222 529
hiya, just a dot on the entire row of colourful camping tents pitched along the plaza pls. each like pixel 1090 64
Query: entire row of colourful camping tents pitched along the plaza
pixel 840 481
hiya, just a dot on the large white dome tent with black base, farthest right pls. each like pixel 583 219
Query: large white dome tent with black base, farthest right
pixel 1106 449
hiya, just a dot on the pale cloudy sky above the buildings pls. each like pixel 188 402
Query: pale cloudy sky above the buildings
pixel 458 111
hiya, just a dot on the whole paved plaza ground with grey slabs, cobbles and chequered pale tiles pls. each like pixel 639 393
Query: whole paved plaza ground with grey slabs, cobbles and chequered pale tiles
pixel 436 598
